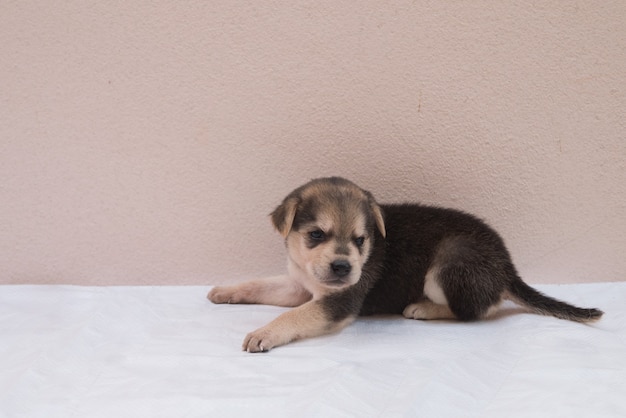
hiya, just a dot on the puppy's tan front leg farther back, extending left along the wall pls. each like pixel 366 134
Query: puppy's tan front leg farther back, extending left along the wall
pixel 278 290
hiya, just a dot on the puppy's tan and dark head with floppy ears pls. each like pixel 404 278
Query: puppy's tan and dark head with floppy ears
pixel 329 226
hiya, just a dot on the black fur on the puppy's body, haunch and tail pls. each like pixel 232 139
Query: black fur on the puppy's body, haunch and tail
pixel 475 268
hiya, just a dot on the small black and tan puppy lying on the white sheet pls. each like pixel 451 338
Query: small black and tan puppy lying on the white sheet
pixel 349 256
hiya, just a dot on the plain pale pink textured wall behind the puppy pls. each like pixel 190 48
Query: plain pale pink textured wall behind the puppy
pixel 146 142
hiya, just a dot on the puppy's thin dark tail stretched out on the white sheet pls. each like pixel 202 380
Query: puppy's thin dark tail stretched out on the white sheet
pixel 537 302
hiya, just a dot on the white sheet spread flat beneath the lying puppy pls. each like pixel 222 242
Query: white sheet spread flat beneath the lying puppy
pixel 168 352
